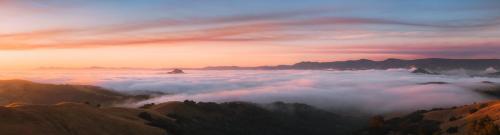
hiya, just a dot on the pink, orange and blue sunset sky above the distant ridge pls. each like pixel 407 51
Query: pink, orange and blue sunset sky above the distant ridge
pixel 199 33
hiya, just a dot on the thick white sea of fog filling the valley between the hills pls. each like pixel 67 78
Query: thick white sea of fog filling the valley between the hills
pixel 376 91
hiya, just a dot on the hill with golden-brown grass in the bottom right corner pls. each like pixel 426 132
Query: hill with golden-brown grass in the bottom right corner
pixel 475 119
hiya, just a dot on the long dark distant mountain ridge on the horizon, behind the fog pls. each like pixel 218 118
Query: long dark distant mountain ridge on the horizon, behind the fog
pixel 363 64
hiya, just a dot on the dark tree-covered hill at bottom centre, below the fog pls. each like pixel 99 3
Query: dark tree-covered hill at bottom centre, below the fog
pixel 239 118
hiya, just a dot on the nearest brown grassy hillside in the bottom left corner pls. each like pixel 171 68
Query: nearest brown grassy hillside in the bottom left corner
pixel 74 119
